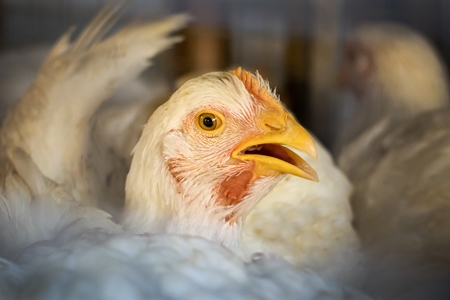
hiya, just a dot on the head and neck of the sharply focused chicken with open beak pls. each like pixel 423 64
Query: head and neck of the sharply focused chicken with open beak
pixel 215 149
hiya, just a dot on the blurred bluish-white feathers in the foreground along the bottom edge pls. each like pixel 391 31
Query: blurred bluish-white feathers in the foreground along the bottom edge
pixel 96 265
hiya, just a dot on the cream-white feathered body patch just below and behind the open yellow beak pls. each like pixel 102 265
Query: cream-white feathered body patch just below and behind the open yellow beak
pixel 310 223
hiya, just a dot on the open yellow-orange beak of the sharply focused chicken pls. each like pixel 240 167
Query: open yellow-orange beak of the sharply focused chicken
pixel 268 151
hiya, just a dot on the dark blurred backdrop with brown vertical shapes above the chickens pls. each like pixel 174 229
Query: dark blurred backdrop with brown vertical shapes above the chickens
pixel 295 44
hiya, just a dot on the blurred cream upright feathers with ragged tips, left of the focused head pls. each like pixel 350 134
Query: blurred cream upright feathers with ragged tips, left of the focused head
pixel 56 109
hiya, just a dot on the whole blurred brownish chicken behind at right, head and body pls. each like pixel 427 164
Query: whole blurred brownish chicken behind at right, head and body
pixel 396 152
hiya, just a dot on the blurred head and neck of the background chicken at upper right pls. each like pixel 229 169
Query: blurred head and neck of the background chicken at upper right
pixel 393 73
